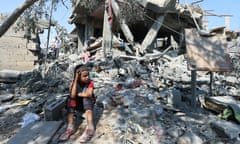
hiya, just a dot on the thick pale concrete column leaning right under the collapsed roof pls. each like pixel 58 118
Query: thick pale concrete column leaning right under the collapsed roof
pixel 152 33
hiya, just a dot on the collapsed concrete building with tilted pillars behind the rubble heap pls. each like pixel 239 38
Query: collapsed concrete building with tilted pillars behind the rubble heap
pixel 143 24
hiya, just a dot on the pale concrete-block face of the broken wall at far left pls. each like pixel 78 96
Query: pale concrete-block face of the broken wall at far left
pixel 15 50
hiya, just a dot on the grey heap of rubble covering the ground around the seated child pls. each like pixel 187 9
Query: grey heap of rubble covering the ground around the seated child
pixel 138 101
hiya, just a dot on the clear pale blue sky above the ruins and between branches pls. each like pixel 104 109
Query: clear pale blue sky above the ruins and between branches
pixel 220 7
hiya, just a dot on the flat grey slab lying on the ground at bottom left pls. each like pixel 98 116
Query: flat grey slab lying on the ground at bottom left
pixel 36 133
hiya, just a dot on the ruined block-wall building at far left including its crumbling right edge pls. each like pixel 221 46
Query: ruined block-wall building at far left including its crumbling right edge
pixel 21 45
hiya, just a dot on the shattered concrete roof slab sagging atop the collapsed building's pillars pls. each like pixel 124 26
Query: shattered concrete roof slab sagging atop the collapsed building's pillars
pixel 134 11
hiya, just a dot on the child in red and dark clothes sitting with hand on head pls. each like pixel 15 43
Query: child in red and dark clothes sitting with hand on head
pixel 81 98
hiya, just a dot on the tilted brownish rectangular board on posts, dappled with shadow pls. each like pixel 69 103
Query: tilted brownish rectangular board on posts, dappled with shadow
pixel 207 53
